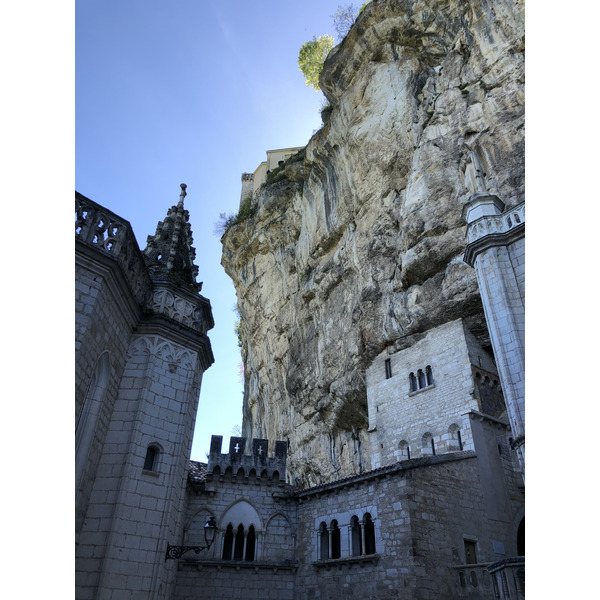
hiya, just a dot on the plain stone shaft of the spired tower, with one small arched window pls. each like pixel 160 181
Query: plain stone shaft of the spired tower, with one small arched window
pixel 133 512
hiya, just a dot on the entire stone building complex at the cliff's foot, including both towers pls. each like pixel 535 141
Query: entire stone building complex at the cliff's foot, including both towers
pixel 439 515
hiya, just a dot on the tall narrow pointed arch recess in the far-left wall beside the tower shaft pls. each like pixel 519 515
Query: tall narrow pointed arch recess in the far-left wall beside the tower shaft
pixel 85 428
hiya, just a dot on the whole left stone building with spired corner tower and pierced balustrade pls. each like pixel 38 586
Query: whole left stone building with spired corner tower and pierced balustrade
pixel 142 348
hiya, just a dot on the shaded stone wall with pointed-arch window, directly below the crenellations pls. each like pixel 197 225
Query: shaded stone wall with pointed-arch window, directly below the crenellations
pixel 246 500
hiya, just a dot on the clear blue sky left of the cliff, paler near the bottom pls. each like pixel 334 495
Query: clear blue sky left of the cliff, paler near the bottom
pixel 191 92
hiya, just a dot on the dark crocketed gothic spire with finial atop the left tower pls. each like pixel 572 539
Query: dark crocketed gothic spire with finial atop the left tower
pixel 169 254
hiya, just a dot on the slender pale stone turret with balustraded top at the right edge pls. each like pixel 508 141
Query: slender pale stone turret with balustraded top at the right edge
pixel 496 250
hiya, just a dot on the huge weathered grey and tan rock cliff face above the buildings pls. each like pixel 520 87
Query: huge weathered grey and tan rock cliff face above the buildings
pixel 357 246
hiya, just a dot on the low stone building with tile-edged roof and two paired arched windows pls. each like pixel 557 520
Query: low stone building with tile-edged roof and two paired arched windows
pixel 422 516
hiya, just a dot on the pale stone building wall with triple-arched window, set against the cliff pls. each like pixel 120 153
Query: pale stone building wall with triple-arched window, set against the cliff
pixel 437 411
